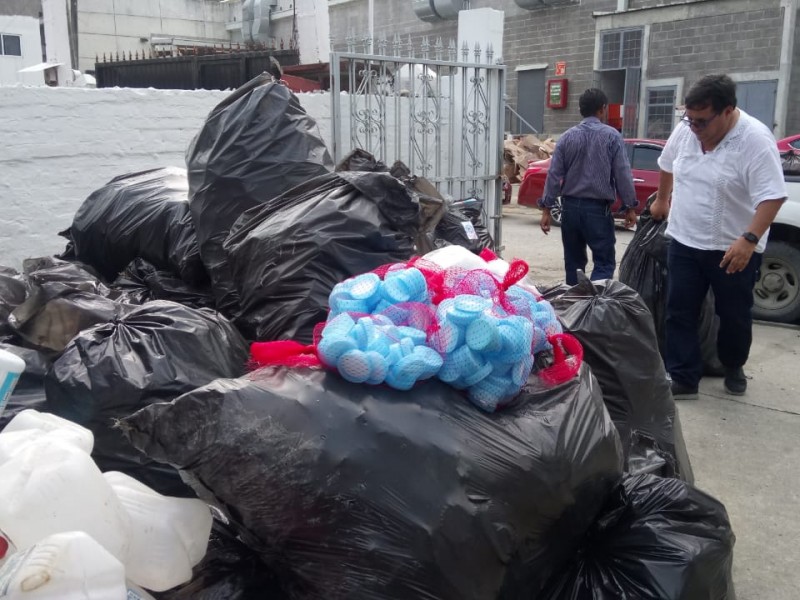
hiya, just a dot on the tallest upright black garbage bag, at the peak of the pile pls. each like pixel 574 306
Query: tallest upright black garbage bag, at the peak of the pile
pixel 256 144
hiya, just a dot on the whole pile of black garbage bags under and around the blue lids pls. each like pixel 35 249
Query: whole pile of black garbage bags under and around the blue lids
pixel 325 489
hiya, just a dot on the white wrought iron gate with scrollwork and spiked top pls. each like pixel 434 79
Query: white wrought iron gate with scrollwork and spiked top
pixel 443 117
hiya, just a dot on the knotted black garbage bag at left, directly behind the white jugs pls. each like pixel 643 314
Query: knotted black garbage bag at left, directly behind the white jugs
pixel 154 353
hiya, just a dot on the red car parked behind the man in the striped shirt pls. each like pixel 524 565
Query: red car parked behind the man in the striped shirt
pixel 643 156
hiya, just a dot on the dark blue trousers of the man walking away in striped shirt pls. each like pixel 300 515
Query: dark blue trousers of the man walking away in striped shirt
pixel 587 221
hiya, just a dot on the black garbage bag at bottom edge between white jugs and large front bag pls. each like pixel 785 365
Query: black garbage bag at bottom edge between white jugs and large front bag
pixel 229 571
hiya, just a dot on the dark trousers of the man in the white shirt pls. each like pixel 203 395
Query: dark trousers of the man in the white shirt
pixel 691 272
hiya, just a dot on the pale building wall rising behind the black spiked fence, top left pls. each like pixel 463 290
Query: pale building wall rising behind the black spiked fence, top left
pixel 111 26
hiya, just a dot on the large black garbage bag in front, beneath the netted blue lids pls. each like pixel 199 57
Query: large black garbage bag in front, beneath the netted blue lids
pixel 355 491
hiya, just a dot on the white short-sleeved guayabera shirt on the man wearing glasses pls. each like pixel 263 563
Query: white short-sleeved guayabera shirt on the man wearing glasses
pixel 715 194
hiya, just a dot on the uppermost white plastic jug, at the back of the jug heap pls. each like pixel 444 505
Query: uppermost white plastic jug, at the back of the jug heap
pixel 31 425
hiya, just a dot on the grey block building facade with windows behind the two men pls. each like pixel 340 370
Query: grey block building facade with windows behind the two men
pixel 644 53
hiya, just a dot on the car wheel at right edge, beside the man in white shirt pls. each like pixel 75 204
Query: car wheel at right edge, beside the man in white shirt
pixel 777 292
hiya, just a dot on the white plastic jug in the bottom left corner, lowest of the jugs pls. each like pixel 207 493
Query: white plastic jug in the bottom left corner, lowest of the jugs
pixel 64 566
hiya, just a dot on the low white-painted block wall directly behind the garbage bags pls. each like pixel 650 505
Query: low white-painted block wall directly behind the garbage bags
pixel 60 144
